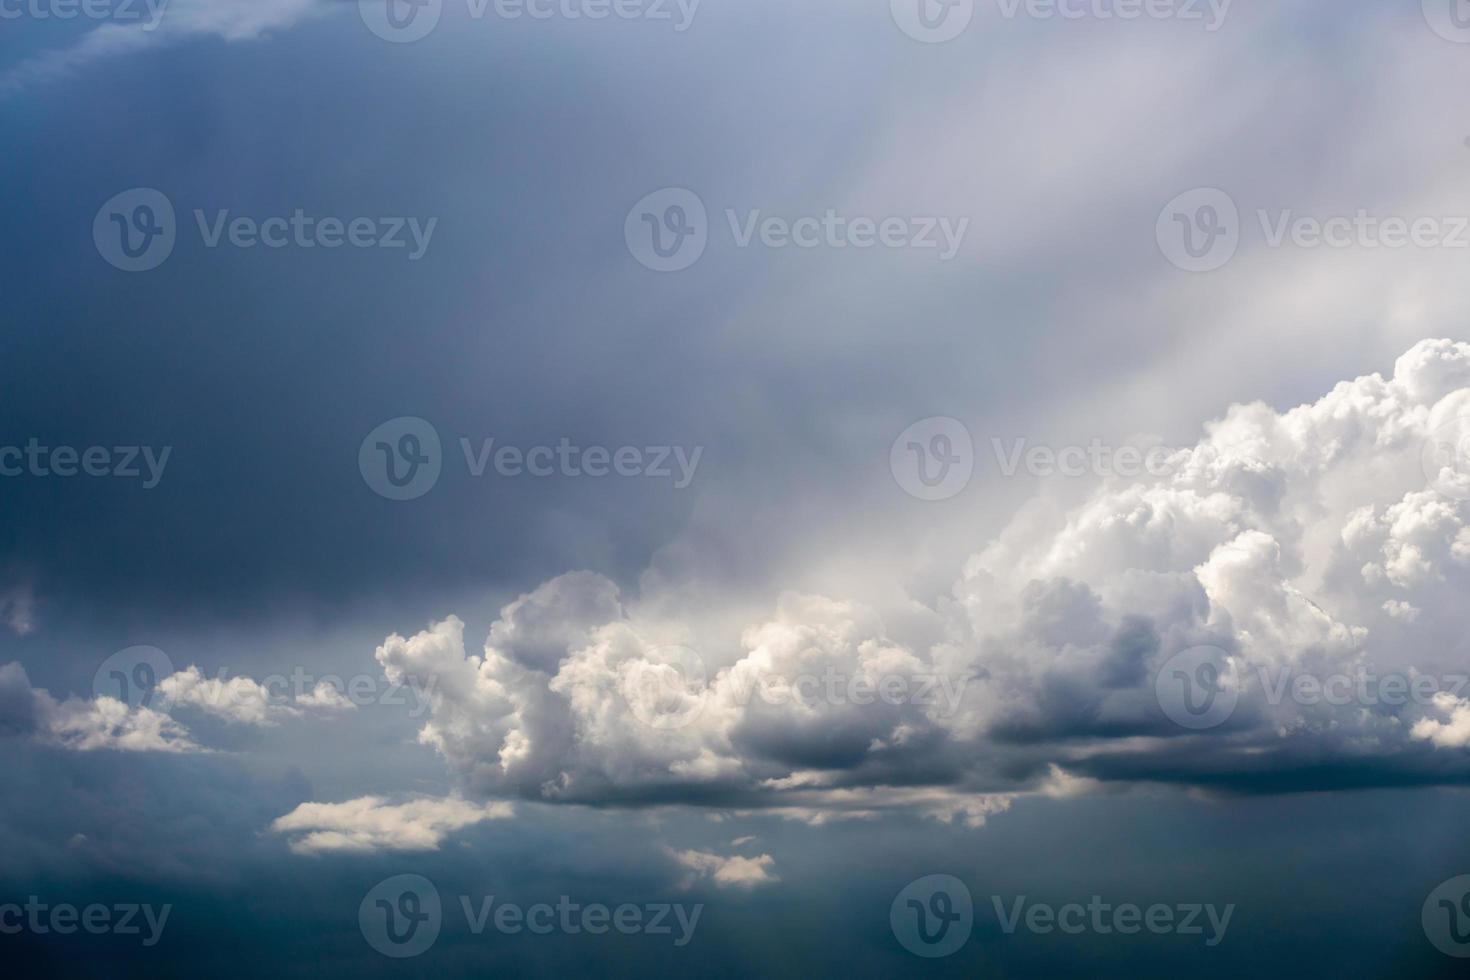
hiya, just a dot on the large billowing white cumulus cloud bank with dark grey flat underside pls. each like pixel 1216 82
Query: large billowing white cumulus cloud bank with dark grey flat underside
pixel 1327 541
